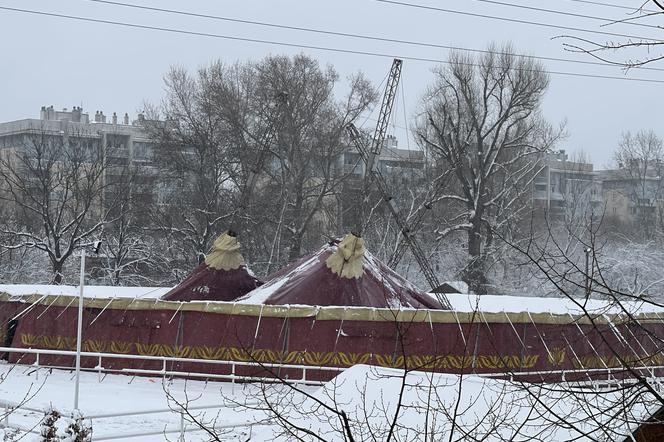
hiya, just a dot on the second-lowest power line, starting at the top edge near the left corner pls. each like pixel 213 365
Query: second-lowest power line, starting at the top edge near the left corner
pixel 347 34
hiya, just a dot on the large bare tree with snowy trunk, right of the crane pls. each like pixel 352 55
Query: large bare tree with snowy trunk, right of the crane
pixel 480 120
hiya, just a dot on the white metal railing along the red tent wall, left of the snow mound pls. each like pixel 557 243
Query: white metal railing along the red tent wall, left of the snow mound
pixel 164 360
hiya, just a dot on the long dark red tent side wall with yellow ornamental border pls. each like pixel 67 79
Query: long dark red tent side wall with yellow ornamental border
pixel 327 337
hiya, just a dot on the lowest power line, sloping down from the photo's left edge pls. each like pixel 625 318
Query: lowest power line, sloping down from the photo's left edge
pixel 306 46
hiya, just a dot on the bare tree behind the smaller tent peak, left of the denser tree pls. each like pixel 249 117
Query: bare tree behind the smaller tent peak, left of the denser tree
pixel 194 157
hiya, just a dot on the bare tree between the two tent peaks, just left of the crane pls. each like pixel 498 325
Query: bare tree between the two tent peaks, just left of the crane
pixel 303 162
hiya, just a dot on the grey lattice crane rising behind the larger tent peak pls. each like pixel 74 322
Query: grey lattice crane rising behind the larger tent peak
pixel 372 174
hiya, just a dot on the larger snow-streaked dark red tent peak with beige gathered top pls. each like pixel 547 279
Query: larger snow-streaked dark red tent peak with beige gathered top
pixel 340 274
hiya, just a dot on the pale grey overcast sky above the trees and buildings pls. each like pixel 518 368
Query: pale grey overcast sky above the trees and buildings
pixel 62 62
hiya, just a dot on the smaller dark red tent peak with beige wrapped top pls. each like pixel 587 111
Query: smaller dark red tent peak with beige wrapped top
pixel 222 277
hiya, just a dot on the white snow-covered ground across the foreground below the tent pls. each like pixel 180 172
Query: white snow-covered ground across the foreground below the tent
pixel 482 408
